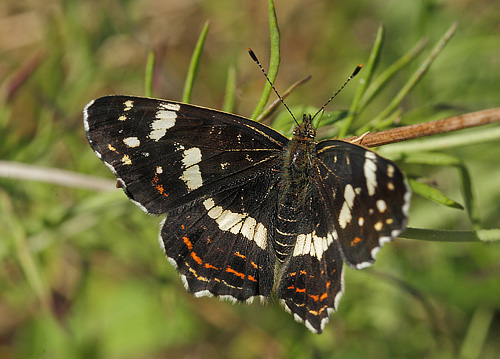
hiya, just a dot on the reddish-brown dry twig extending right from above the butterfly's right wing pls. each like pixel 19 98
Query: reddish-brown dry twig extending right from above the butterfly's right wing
pixel 405 133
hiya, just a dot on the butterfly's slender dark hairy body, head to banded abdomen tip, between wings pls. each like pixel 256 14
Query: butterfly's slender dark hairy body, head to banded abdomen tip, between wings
pixel 295 186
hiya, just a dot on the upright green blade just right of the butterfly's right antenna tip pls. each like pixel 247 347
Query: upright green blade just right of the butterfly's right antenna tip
pixel 368 70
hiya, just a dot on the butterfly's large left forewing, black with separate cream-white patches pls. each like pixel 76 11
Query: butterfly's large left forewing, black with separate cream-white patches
pixel 166 154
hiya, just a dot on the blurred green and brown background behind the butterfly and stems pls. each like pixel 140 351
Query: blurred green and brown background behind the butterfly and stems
pixel 81 272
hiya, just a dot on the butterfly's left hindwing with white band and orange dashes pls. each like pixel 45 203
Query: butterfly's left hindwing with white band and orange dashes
pixel 220 245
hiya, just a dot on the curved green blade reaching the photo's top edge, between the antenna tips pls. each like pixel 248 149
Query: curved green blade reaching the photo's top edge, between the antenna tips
pixel 274 60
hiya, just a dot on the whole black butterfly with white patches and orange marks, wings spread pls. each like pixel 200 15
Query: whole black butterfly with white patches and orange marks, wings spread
pixel 250 212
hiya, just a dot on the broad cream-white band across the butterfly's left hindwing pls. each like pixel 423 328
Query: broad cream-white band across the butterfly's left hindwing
pixel 237 223
